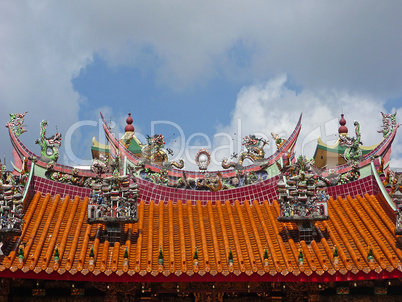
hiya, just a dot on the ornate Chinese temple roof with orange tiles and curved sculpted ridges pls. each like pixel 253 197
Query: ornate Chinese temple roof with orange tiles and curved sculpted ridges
pixel 132 219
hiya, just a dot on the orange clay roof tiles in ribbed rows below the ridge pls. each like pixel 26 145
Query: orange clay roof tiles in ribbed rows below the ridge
pixel 354 226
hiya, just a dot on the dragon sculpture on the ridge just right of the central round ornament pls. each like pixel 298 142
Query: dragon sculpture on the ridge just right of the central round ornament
pixel 254 151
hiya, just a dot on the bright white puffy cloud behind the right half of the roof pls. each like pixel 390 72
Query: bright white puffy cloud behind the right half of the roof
pixel 271 106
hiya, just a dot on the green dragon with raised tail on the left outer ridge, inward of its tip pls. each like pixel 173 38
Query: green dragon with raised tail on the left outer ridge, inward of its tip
pixel 49 146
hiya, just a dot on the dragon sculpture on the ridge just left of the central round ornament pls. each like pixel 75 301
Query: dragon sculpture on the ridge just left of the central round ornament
pixel 155 152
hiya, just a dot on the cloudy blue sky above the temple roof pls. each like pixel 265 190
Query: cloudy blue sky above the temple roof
pixel 203 73
